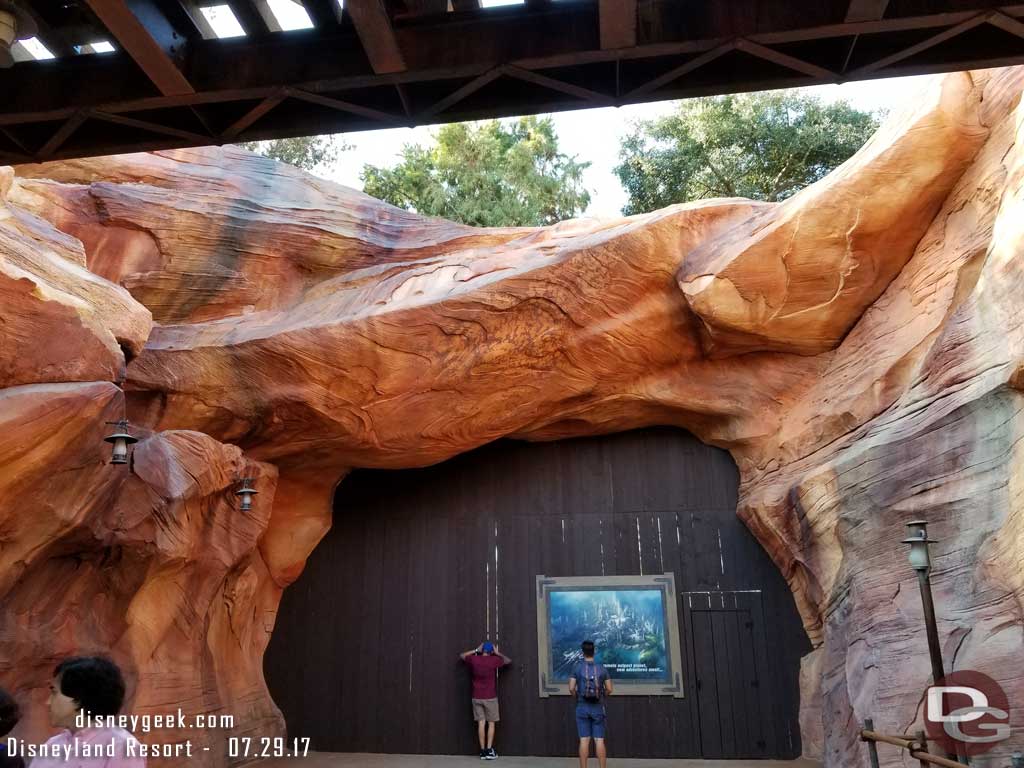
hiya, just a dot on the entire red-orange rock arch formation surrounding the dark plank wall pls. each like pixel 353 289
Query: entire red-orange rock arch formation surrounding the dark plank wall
pixel 859 349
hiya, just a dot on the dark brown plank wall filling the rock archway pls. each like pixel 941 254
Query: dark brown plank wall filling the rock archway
pixel 422 565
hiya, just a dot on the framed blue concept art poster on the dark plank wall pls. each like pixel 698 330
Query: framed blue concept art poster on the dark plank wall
pixel 632 621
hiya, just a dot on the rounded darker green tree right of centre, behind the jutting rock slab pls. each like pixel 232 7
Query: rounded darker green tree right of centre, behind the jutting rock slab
pixel 760 146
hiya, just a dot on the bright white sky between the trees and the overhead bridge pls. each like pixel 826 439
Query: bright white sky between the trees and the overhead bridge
pixel 595 136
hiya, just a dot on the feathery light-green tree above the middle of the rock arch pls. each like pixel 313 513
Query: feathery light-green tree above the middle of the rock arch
pixel 486 175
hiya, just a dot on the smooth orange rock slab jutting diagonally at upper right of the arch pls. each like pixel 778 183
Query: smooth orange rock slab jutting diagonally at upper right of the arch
pixel 798 277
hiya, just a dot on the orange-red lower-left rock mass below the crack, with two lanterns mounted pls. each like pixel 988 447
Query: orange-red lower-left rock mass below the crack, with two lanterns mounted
pixel 155 566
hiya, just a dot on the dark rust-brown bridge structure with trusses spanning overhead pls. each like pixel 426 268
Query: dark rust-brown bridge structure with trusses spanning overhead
pixel 370 64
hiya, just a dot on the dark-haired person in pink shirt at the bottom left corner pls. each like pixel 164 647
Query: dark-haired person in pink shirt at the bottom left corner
pixel 84 689
